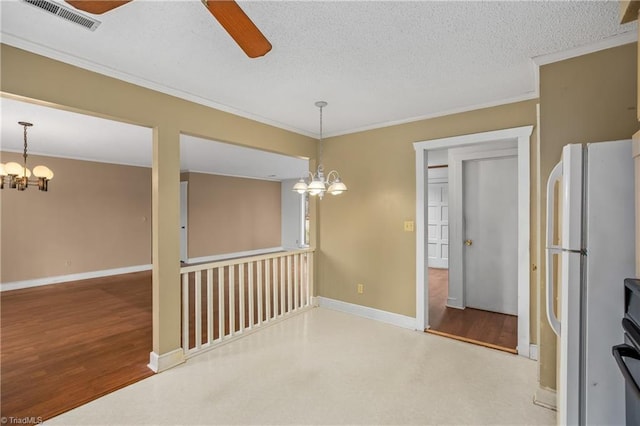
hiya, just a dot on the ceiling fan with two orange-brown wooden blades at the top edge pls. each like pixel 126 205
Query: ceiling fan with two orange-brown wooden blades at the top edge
pixel 227 12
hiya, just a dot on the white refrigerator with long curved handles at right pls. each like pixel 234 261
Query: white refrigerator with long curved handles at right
pixel 590 250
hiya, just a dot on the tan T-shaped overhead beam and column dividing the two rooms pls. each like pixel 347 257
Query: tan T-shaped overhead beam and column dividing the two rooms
pixel 30 76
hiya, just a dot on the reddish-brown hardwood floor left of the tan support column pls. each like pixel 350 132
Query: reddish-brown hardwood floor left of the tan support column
pixel 66 344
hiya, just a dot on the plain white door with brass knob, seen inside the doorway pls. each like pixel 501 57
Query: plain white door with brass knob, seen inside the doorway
pixel 490 222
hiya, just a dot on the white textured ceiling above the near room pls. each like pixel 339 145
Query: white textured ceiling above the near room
pixel 376 63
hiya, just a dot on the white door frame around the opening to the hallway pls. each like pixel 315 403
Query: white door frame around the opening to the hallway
pixel 522 137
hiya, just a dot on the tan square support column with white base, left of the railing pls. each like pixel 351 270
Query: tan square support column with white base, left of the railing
pixel 167 352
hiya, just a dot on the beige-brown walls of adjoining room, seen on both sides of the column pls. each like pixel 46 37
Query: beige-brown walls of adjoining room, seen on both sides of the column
pixel 97 216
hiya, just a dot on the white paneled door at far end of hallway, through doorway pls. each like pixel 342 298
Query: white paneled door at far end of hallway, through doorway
pixel 438 214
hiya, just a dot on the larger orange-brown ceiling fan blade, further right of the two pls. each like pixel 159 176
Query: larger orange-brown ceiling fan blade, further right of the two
pixel 239 26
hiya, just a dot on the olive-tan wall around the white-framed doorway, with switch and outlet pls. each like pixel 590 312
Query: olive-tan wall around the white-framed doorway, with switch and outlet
pixel 361 233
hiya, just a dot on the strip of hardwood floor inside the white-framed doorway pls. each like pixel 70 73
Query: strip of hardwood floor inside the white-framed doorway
pixel 499 331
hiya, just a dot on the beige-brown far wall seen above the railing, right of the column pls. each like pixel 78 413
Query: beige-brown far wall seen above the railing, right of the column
pixel 231 214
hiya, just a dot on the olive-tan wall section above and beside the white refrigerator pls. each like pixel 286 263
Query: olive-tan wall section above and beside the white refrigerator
pixel 590 98
